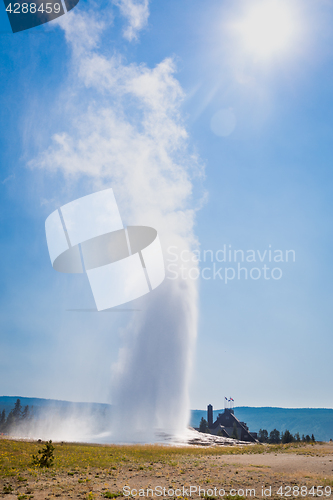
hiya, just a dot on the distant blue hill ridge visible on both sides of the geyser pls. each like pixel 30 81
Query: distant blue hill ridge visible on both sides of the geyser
pixel 317 421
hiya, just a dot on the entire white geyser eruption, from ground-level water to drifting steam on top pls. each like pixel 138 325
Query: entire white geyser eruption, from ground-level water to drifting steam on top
pixel 126 131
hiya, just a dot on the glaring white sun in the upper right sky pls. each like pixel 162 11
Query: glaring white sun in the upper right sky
pixel 267 28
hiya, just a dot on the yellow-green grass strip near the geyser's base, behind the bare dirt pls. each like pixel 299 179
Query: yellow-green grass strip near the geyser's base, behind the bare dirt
pixel 15 456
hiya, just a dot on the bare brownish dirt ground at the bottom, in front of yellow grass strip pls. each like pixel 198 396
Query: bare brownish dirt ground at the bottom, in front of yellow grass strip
pixel 282 473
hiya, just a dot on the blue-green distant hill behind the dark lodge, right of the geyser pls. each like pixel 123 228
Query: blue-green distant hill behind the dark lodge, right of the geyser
pixel 317 421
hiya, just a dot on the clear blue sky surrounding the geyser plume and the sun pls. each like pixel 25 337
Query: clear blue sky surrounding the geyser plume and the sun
pixel 262 342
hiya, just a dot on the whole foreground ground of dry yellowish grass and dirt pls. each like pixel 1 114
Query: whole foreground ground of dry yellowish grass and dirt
pixel 94 472
